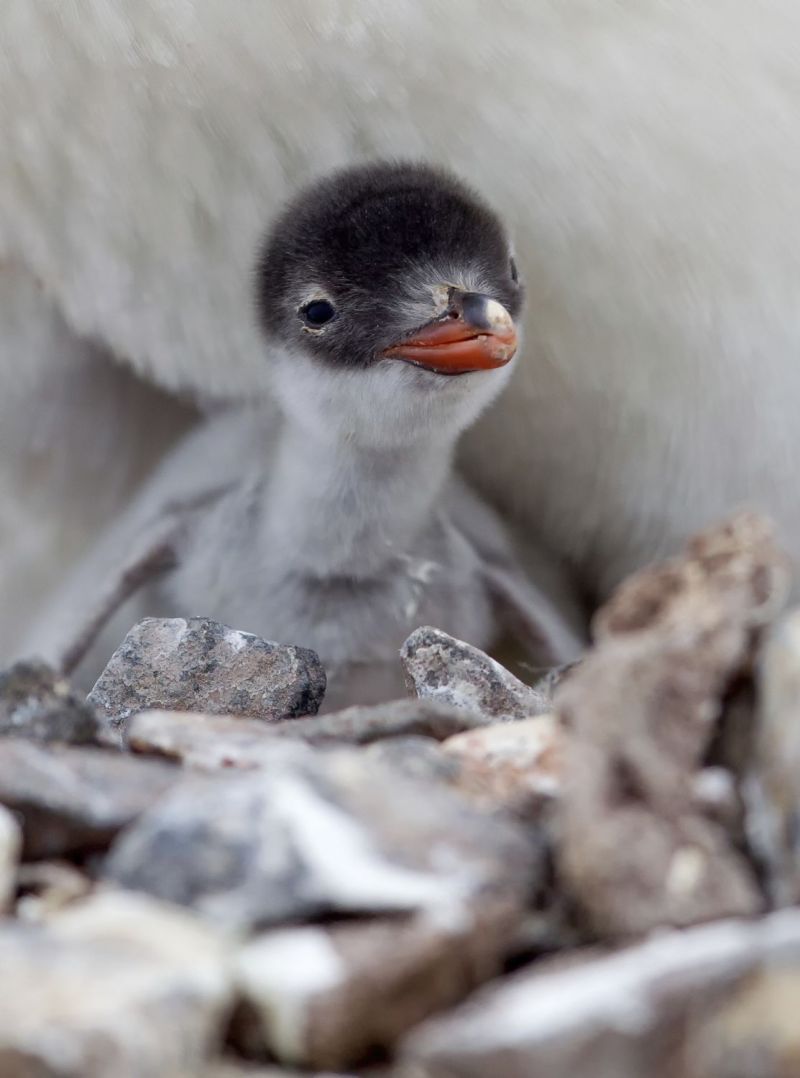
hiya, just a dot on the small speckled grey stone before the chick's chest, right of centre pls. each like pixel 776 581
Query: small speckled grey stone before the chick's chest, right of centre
pixel 440 668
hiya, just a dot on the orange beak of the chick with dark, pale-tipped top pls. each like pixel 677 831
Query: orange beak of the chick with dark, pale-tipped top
pixel 476 335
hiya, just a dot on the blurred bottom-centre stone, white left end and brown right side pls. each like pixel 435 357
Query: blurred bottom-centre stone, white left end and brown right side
pixel 330 997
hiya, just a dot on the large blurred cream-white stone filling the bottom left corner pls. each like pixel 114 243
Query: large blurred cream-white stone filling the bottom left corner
pixel 111 989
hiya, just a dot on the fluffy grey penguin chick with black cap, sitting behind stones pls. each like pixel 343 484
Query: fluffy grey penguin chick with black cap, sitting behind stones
pixel 389 297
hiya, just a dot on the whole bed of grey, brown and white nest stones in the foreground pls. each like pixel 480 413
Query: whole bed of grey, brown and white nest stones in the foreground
pixel 592 879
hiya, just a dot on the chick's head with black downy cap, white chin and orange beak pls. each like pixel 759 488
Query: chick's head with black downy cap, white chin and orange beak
pixel 390 295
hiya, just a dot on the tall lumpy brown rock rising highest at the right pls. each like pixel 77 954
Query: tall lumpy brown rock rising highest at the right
pixel 642 709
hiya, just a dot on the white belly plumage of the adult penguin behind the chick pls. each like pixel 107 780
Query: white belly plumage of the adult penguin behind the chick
pixel 647 160
